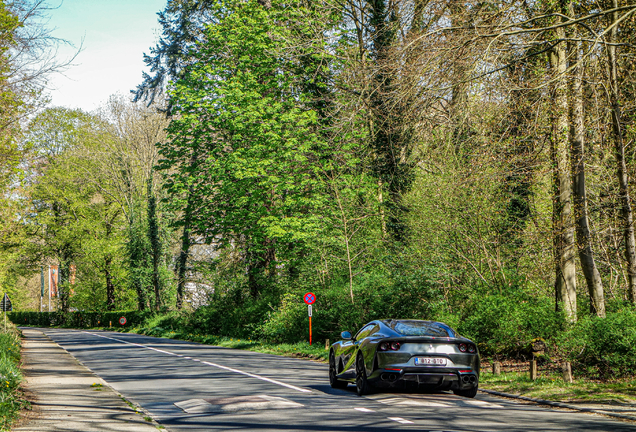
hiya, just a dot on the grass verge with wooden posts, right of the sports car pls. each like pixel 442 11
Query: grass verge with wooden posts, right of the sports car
pixel 550 386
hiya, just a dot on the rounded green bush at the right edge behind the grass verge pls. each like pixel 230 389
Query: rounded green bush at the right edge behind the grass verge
pixel 605 347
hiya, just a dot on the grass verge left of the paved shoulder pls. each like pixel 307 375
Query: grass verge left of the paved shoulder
pixel 11 398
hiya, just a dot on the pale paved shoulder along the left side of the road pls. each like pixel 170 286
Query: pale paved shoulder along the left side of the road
pixel 68 396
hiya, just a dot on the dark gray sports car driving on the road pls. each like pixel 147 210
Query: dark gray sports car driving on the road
pixel 388 353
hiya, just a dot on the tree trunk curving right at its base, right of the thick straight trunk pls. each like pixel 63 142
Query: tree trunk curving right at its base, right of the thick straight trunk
pixel 577 138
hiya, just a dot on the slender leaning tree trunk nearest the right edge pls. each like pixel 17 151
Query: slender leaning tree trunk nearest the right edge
pixel 621 166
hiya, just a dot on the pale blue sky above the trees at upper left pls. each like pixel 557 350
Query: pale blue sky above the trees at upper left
pixel 114 35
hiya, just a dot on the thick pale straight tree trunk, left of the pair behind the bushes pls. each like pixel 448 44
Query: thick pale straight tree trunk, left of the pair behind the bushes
pixel 565 281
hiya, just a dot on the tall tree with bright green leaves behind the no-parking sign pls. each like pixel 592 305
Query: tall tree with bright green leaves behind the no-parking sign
pixel 246 126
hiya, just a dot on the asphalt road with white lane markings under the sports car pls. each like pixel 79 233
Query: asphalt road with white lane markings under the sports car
pixel 192 387
